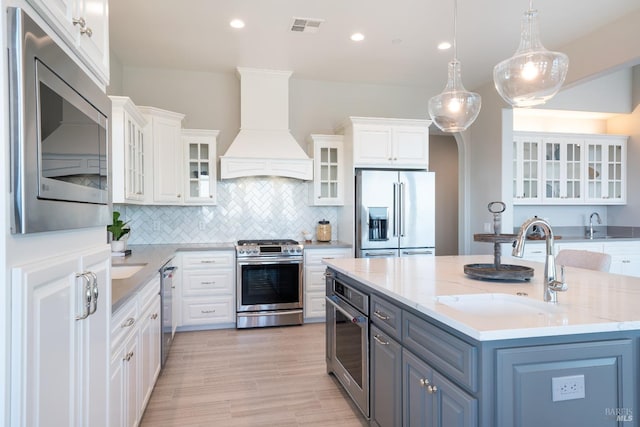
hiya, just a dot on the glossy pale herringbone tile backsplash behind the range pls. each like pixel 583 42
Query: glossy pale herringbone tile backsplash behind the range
pixel 248 208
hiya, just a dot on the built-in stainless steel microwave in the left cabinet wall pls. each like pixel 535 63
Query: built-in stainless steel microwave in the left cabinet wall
pixel 60 136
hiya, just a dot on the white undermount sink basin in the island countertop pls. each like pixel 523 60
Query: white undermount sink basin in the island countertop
pixel 496 305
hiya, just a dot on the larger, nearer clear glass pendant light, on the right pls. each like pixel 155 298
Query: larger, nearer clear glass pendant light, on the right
pixel 533 75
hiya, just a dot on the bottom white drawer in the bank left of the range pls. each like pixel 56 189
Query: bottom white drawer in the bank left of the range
pixel 196 311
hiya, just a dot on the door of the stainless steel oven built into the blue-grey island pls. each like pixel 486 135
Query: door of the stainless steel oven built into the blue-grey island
pixel 350 350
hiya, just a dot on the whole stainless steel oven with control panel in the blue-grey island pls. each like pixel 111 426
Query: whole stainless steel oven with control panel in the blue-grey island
pixel 348 339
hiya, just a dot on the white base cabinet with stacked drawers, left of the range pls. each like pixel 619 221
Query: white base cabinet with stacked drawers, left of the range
pixel 208 289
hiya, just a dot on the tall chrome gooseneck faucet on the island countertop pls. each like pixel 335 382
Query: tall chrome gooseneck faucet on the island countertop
pixel 552 286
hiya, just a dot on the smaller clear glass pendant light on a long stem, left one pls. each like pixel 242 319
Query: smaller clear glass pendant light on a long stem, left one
pixel 455 108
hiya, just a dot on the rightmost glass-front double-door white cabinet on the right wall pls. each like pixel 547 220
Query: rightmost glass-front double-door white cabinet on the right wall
pixel 605 170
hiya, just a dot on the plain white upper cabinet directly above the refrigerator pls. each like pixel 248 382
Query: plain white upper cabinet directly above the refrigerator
pixel 389 143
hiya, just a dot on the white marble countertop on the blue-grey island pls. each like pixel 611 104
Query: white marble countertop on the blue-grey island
pixel 594 302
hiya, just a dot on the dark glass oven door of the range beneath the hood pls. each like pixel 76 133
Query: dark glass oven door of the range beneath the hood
pixel 269 284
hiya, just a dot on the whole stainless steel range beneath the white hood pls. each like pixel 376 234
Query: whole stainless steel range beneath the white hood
pixel 269 276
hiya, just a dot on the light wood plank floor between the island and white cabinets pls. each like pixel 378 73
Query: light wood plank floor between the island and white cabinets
pixel 250 377
